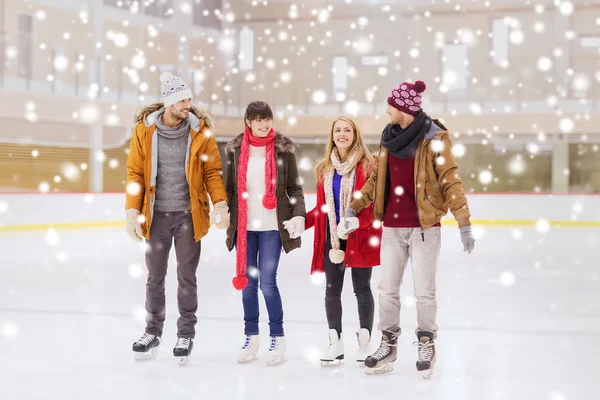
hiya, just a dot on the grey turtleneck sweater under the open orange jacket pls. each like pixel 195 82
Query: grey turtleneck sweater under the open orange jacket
pixel 172 190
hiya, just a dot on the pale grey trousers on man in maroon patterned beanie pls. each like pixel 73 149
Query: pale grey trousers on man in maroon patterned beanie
pixel 397 246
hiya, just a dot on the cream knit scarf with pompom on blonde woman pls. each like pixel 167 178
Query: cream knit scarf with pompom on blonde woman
pixel 348 171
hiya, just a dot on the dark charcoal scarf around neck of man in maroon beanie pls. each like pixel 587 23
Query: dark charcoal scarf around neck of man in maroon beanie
pixel 402 143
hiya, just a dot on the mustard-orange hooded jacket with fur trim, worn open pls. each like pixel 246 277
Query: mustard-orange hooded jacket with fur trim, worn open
pixel 203 168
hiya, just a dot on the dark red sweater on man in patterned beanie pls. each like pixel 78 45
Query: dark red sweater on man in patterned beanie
pixel 401 206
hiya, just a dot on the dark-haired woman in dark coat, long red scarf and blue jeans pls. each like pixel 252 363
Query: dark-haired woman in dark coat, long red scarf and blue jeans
pixel 267 214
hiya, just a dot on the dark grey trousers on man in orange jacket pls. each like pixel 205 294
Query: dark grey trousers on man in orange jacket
pixel 168 227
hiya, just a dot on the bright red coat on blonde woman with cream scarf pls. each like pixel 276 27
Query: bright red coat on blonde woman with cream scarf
pixel 360 251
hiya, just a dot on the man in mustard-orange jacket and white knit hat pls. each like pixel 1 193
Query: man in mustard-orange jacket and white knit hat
pixel 173 166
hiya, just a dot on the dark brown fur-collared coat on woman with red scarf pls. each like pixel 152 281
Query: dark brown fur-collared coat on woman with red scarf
pixel 290 197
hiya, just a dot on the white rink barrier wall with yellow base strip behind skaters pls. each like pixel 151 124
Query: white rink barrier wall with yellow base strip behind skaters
pixel 42 211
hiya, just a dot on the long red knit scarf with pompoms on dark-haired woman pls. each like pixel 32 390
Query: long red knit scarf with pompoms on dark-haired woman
pixel 269 199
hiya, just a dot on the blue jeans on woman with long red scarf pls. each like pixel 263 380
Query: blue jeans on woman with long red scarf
pixel 264 251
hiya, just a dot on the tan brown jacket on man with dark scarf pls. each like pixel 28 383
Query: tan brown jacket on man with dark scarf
pixel 437 184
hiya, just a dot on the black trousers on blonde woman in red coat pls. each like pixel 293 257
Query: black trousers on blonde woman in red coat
pixel 361 280
